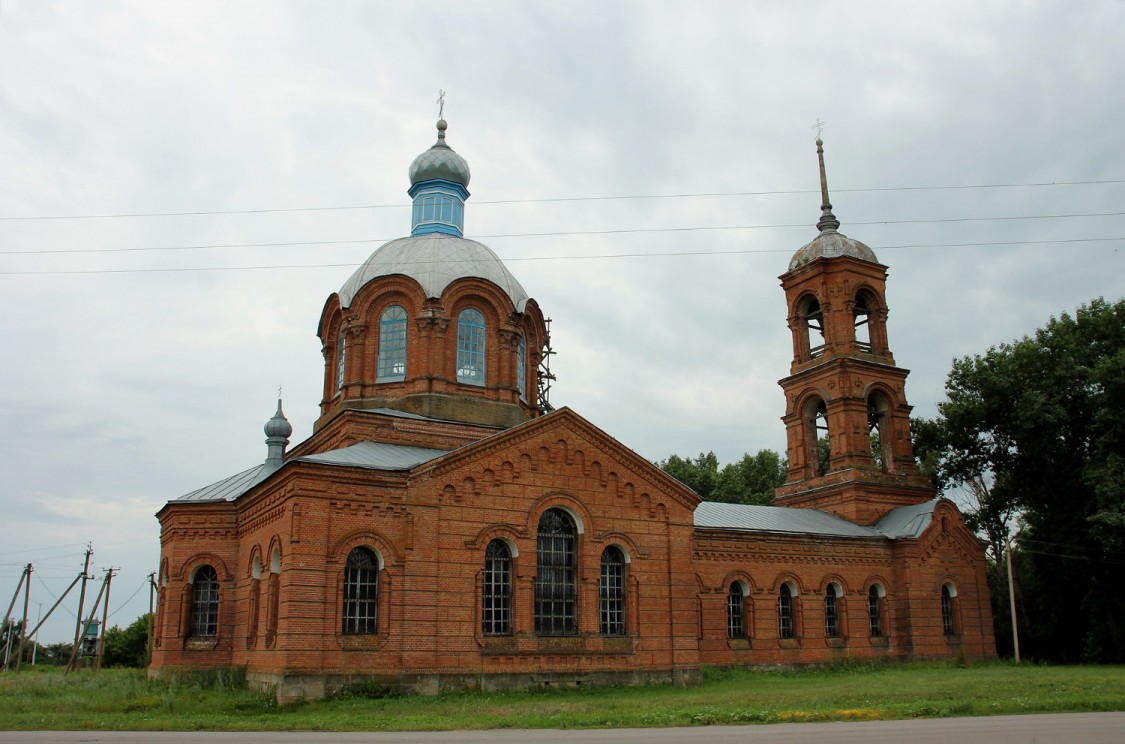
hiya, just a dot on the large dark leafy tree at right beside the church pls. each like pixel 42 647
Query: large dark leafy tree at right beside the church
pixel 1036 432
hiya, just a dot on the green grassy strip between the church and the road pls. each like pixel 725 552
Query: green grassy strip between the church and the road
pixel 124 700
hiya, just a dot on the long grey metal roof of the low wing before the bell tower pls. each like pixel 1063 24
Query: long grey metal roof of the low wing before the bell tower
pixel 712 515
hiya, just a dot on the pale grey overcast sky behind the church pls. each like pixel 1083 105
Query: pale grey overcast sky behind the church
pixel 646 172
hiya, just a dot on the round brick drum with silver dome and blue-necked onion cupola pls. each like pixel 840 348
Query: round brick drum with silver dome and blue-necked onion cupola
pixel 435 325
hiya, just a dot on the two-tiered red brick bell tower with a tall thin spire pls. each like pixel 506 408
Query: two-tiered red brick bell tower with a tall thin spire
pixel 848 422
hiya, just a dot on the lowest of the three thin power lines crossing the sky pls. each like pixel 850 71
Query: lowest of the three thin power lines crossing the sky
pixel 543 258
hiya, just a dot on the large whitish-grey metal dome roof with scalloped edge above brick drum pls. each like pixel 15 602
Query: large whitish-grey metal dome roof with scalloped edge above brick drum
pixel 436 261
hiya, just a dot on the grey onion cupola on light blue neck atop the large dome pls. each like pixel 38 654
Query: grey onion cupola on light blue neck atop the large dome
pixel 439 186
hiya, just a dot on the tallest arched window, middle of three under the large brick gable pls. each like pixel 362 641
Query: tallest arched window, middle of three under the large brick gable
pixel 556 576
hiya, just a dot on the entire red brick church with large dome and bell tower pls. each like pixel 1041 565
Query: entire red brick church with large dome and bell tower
pixel 445 528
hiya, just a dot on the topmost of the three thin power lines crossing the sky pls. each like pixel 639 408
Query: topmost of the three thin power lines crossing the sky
pixel 559 200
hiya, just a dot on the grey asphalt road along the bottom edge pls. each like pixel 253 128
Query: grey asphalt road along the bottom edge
pixel 1085 729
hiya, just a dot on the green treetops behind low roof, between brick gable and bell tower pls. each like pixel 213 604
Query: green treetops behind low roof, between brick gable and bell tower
pixel 750 481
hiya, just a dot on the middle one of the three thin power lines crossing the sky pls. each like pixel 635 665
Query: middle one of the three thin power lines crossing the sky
pixel 553 235
